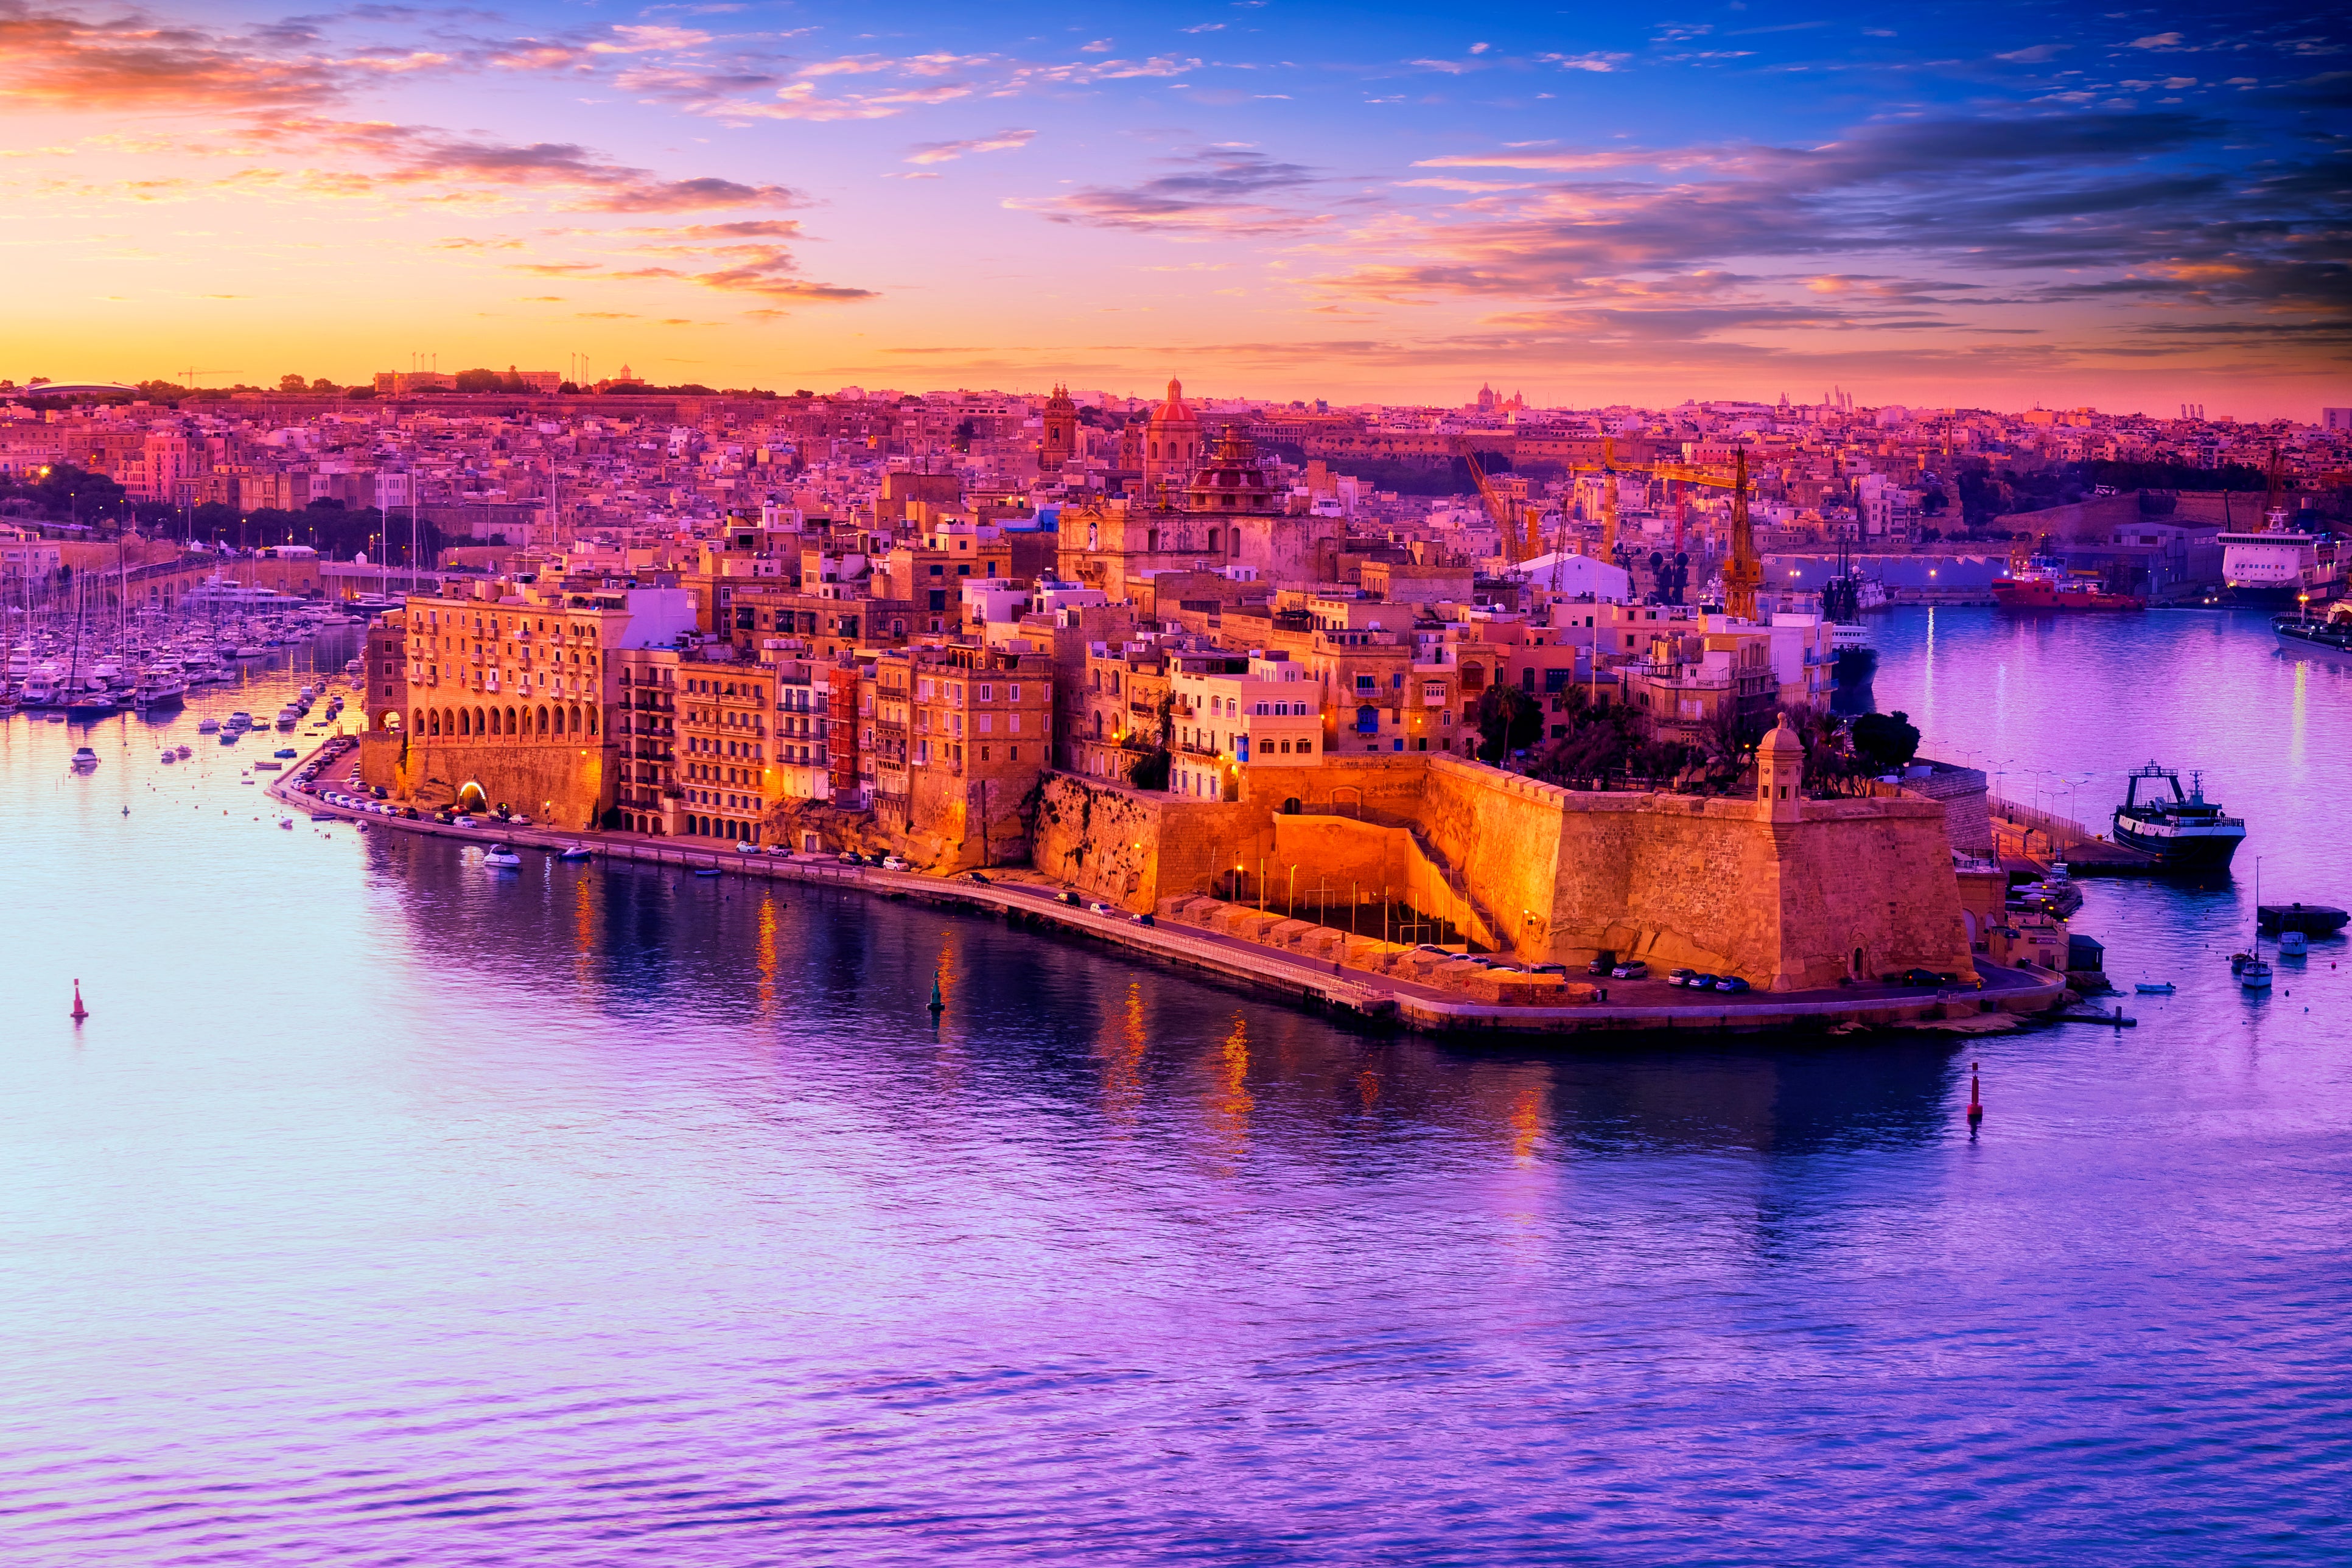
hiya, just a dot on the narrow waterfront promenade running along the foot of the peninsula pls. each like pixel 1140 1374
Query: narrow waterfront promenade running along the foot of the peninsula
pixel 1027 897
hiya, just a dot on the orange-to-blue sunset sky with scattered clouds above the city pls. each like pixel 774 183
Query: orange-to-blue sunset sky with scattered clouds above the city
pixel 1984 206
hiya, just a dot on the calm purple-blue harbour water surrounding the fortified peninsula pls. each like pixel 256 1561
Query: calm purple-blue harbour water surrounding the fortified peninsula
pixel 401 1212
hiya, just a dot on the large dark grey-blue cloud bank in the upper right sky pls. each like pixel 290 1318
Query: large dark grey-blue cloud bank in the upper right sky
pixel 2054 210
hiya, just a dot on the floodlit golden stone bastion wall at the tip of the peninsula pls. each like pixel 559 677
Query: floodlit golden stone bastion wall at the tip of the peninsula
pixel 1551 876
